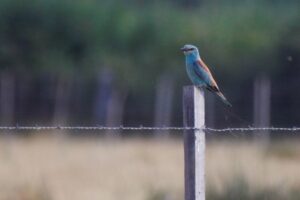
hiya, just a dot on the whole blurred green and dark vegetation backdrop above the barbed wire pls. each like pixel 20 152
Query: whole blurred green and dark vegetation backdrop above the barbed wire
pixel 118 62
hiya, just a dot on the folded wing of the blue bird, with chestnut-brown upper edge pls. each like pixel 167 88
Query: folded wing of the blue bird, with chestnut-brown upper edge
pixel 204 73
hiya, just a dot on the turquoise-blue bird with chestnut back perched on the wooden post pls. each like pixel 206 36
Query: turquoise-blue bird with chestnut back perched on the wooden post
pixel 199 73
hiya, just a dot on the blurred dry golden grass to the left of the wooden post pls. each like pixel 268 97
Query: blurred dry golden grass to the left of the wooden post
pixel 90 169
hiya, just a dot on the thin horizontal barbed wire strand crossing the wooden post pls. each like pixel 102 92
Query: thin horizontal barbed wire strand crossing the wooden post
pixel 144 128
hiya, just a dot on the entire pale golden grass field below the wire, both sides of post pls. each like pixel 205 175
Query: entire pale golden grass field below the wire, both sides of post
pixel 63 168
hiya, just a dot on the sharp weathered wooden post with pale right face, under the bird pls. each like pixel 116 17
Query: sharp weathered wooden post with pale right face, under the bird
pixel 194 143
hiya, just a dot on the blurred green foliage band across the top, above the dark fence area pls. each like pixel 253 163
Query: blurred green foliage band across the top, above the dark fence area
pixel 240 38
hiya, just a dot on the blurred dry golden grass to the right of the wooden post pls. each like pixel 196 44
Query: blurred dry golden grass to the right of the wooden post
pixel 274 167
